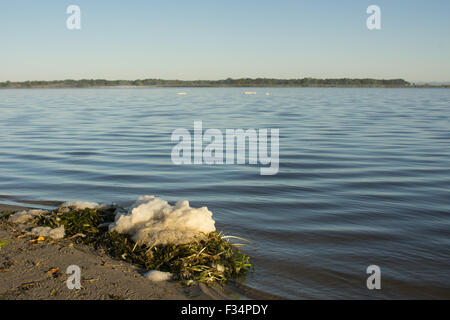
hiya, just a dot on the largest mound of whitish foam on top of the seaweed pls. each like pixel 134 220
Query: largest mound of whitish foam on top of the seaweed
pixel 154 221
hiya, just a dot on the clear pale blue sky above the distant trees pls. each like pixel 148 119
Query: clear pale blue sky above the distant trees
pixel 211 39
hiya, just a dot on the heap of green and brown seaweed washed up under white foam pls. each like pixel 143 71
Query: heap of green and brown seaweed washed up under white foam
pixel 212 258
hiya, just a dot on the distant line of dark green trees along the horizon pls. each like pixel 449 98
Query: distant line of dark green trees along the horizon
pixel 244 82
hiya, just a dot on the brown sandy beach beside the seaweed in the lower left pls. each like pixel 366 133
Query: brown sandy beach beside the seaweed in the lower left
pixel 37 270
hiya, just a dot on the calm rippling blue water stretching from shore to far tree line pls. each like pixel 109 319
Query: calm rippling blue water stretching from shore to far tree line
pixel 364 175
